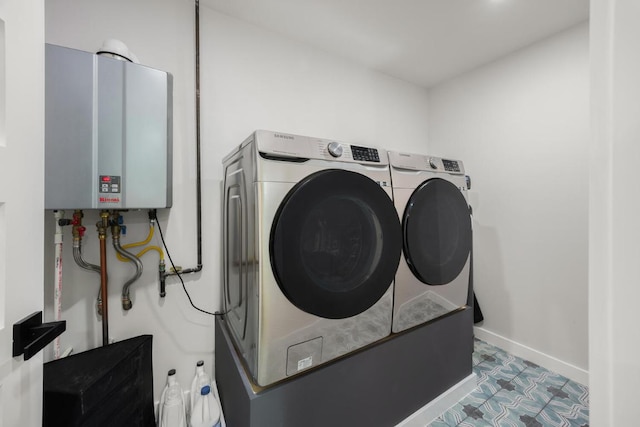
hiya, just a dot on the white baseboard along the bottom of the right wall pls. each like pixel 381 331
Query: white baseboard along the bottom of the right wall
pixel 549 362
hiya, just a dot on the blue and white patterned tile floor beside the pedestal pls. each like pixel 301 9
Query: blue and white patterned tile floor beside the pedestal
pixel 514 392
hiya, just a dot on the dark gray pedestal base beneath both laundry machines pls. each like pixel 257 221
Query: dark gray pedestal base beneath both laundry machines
pixel 380 385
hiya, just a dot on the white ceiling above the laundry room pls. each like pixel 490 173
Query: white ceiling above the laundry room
pixel 421 41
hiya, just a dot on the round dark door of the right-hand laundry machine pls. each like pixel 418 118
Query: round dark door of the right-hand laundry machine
pixel 436 228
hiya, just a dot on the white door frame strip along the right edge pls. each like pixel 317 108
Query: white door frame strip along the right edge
pixel 614 230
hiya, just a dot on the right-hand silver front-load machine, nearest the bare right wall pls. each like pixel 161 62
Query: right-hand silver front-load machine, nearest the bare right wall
pixel 433 276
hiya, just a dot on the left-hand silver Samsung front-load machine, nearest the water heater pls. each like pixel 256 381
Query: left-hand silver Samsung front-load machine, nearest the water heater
pixel 311 246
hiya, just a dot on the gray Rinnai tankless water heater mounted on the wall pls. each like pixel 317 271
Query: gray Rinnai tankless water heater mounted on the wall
pixel 108 133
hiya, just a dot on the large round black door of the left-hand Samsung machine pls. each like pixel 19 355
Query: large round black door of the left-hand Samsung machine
pixel 335 244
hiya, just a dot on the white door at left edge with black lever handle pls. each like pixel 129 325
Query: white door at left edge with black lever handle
pixel 21 202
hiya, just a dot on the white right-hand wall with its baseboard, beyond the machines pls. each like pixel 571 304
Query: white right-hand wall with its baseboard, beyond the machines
pixel 521 126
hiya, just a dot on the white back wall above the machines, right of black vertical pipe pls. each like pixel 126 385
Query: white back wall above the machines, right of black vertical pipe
pixel 253 79
